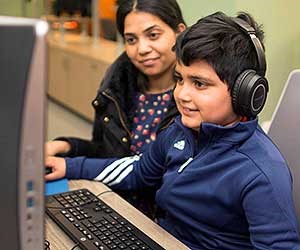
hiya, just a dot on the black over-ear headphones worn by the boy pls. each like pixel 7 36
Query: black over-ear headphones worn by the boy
pixel 249 92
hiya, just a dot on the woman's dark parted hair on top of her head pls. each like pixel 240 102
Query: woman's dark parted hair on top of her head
pixel 167 10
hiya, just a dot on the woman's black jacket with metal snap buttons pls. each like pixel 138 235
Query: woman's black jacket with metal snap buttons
pixel 114 114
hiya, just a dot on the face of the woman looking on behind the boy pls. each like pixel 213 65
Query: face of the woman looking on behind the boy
pixel 148 43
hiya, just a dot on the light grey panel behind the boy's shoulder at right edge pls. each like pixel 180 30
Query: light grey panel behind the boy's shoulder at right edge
pixel 284 130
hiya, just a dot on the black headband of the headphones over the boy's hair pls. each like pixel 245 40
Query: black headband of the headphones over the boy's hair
pixel 250 31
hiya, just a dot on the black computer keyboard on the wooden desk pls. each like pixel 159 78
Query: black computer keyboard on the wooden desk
pixel 93 224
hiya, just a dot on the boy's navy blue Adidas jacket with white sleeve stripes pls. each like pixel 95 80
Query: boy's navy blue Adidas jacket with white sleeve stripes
pixel 228 188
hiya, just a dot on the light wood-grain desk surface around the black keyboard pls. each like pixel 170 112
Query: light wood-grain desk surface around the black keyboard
pixel 60 241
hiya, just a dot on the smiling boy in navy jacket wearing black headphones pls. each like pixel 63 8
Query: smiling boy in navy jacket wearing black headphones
pixel 222 182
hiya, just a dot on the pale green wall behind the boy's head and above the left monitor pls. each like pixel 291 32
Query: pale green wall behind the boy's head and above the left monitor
pixel 280 20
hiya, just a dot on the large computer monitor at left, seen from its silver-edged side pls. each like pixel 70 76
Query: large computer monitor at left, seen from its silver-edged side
pixel 22 132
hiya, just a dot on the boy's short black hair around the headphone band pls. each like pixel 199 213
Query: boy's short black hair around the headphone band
pixel 219 41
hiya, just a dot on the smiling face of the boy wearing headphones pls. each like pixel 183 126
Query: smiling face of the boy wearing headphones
pixel 201 96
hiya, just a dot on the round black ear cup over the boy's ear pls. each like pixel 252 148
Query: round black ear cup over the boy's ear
pixel 249 93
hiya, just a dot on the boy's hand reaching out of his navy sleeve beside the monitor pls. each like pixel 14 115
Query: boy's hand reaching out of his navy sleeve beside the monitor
pixel 58 167
